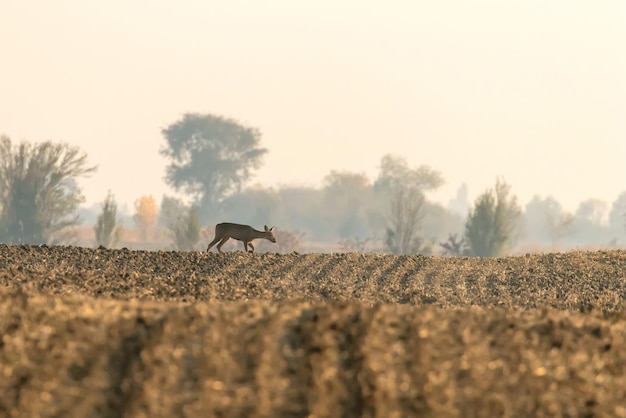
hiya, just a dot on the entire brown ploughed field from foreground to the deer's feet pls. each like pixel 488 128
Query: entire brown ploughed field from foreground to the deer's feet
pixel 88 332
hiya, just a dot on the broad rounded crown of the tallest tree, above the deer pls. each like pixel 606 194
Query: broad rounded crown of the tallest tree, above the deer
pixel 210 157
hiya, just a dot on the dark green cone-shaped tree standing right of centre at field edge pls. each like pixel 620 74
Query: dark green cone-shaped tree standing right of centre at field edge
pixel 491 224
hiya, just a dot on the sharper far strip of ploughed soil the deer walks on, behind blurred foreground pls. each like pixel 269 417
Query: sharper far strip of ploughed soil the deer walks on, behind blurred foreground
pixel 572 281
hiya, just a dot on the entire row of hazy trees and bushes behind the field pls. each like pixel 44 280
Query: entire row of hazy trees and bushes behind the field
pixel 212 159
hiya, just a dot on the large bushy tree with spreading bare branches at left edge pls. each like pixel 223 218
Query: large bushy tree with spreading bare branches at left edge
pixel 38 190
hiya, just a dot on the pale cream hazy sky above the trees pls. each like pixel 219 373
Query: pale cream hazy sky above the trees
pixel 533 91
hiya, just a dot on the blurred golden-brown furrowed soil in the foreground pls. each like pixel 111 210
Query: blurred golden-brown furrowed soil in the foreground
pixel 79 356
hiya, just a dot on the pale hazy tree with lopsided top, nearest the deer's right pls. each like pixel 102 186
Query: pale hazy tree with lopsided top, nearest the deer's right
pixel 403 188
